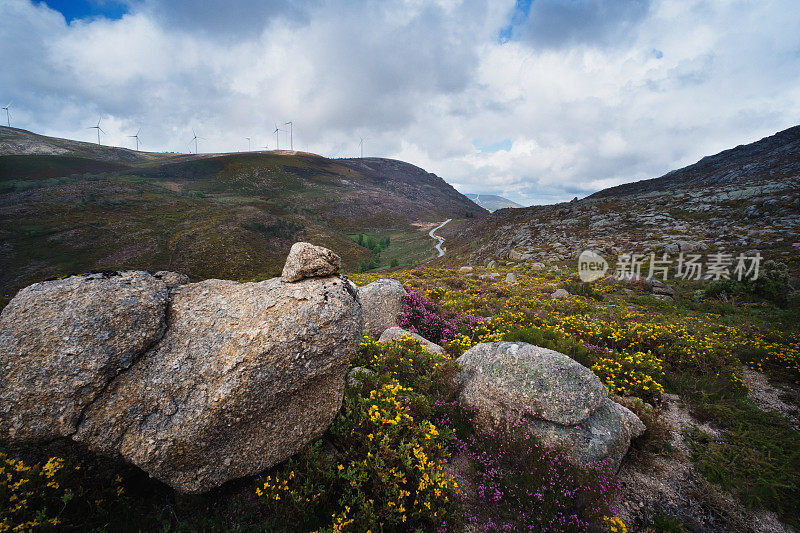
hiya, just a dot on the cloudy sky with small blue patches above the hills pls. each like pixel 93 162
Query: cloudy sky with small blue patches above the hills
pixel 538 101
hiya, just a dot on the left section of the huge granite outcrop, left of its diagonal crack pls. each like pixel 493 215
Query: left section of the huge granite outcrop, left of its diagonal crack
pixel 62 341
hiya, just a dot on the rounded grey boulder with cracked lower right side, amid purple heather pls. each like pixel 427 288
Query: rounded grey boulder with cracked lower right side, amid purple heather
pixel 560 401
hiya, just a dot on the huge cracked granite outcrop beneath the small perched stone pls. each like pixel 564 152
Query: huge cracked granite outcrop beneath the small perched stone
pixel 196 385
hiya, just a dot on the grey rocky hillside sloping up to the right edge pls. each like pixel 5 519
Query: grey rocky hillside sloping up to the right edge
pixel 745 199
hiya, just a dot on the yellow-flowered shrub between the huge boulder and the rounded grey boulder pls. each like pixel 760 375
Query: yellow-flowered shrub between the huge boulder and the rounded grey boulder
pixel 389 472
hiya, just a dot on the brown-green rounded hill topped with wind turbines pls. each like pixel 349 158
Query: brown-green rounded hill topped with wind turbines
pixel 68 207
